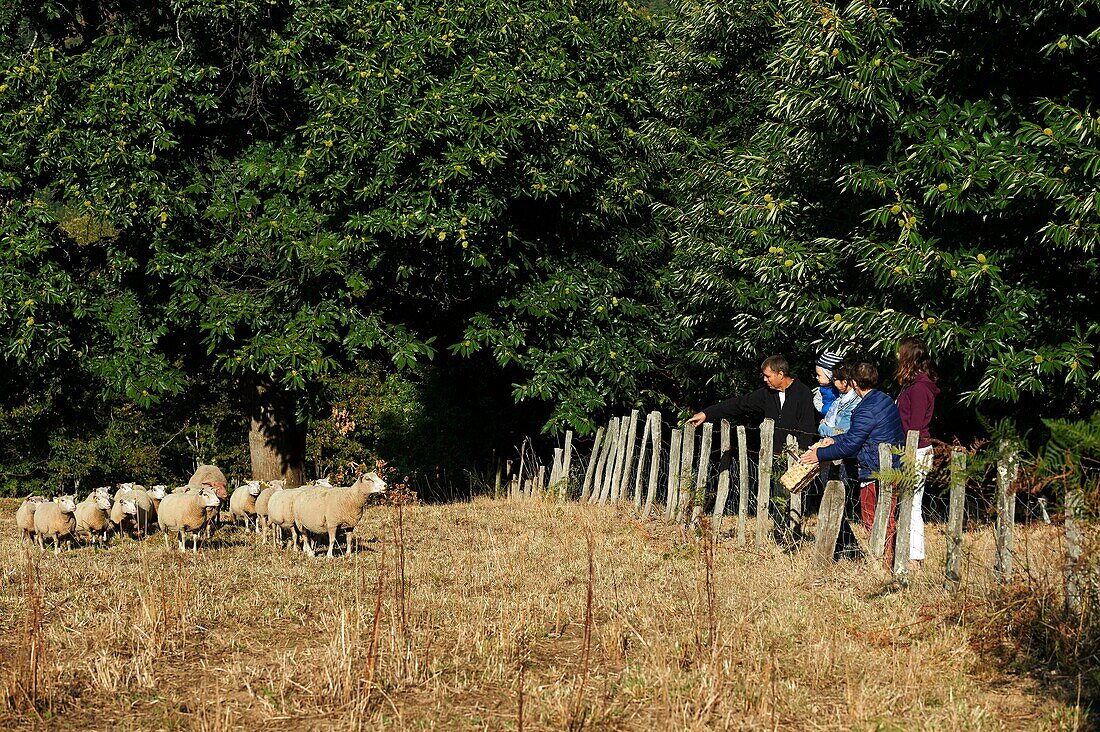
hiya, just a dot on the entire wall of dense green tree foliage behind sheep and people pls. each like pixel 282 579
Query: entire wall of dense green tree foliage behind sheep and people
pixel 597 205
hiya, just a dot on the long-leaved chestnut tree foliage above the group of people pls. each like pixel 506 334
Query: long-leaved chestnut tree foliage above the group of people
pixel 922 169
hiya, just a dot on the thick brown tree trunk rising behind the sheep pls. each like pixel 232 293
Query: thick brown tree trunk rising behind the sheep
pixel 277 442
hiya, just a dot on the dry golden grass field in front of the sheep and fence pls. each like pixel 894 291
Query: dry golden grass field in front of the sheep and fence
pixel 483 627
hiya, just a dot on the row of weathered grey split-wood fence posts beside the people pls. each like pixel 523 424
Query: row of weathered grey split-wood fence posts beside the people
pixel 625 468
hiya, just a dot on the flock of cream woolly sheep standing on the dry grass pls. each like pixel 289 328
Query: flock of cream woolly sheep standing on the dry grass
pixel 296 517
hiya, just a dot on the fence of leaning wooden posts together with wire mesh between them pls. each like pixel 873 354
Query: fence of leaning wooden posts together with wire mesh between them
pixel 683 474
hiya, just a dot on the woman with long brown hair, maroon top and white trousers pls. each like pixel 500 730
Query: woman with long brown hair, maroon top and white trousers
pixel 916 405
